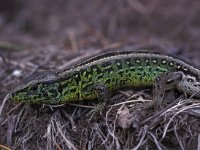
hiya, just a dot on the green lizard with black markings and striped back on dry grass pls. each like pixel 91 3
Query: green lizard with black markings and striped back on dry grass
pixel 106 73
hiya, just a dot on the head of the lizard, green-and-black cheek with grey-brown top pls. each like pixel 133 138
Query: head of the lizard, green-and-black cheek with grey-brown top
pixel 38 88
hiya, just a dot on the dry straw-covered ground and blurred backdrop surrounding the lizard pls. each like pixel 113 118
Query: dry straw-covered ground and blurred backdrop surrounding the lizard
pixel 47 35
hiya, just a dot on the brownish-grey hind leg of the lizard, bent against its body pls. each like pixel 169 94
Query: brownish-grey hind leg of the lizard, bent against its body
pixel 166 83
